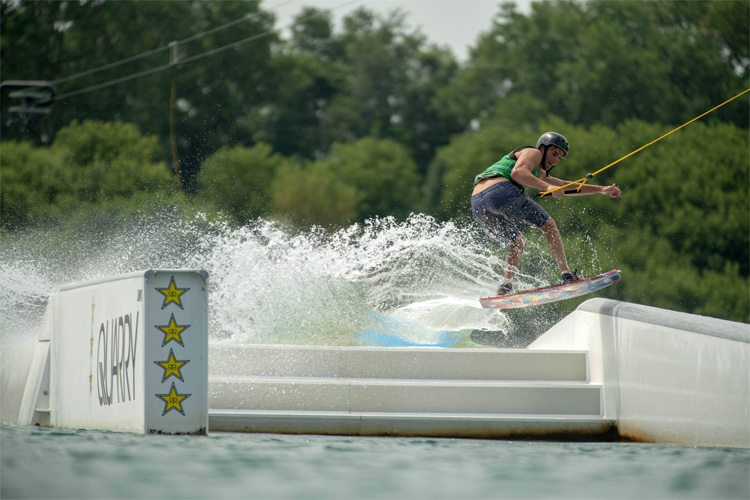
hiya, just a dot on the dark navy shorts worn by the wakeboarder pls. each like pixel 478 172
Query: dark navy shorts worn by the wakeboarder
pixel 501 206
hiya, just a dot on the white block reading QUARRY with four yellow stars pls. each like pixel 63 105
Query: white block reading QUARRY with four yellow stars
pixel 131 353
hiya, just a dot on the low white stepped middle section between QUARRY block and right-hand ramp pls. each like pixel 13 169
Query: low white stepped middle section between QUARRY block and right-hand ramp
pixel 403 391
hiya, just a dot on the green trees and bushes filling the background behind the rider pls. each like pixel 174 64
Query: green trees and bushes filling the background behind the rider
pixel 335 126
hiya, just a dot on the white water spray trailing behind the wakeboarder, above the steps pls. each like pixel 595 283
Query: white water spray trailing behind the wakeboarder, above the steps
pixel 420 277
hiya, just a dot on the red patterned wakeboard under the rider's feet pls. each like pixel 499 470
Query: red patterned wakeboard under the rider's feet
pixel 552 293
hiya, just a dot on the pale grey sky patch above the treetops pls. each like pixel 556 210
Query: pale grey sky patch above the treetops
pixel 455 23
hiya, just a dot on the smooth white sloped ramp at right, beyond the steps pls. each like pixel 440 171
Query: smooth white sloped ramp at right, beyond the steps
pixel 668 377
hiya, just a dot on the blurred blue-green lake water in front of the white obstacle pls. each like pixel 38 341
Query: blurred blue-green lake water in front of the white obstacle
pixel 66 463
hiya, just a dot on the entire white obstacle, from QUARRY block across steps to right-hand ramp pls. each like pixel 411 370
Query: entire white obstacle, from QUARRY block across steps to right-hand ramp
pixel 131 353
